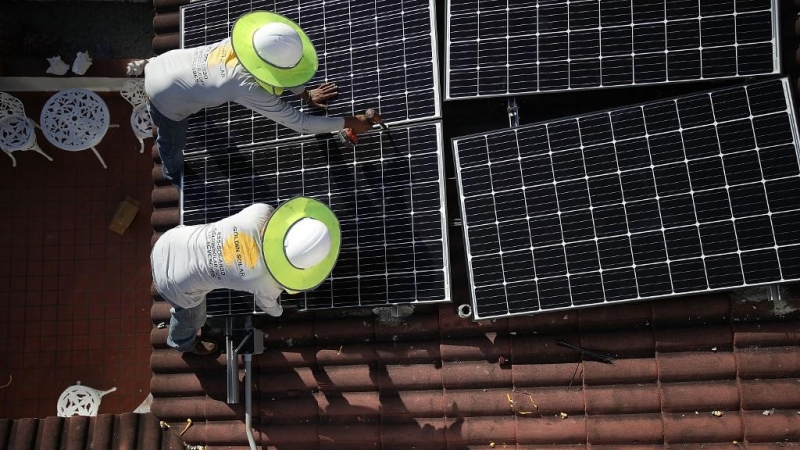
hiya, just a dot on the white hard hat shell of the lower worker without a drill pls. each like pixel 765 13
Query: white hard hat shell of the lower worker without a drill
pixel 307 243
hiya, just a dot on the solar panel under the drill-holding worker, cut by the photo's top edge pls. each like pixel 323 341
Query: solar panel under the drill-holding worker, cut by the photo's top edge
pixel 381 54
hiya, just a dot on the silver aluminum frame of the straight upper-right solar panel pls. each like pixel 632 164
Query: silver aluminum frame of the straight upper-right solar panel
pixel 776 59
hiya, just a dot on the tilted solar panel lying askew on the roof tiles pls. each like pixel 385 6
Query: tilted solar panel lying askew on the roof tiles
pixel 688 195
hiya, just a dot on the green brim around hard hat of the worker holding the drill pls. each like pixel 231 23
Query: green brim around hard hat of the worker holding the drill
pixel 264 72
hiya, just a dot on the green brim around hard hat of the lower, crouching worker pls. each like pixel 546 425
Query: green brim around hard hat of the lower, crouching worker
pixel 293 279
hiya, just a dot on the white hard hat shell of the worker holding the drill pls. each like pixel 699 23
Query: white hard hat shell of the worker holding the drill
pixel 278 44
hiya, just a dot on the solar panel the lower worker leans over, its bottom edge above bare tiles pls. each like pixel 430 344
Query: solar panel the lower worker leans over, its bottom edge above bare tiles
pixel 388 195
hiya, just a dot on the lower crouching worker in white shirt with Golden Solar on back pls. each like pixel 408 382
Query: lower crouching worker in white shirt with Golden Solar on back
pixel 260 250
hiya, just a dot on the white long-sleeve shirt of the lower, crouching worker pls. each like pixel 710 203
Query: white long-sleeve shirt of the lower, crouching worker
pixel 191 261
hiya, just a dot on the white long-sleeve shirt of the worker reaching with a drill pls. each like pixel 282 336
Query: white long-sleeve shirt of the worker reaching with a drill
pixel 184 81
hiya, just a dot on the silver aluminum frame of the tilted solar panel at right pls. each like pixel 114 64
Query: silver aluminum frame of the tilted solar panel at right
pixel 795 131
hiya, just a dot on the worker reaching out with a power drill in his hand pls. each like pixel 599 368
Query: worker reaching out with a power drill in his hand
pixel 266 54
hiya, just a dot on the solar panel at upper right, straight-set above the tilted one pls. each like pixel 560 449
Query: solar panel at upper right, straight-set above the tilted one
pixel 504 48
